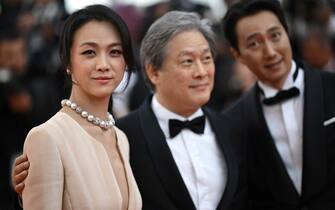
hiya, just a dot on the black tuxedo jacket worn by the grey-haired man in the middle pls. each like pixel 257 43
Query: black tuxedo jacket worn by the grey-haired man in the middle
pixel 156 173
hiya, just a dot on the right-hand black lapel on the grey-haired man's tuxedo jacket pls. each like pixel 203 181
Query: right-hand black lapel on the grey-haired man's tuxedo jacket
pixel 222 136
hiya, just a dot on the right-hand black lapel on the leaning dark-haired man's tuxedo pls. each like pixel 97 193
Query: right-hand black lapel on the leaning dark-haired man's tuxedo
pixel 314 145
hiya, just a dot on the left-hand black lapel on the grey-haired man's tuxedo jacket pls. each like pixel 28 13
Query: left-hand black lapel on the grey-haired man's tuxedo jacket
pixel 163 160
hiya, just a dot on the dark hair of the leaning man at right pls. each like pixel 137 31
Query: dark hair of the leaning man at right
pixel 242 9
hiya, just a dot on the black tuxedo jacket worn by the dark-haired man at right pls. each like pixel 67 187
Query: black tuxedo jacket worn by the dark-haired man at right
pixel 269 184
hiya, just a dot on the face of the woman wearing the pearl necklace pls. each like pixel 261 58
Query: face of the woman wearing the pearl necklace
pixel 97 64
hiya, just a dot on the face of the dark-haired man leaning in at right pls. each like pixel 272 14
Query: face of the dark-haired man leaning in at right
pixel 264 47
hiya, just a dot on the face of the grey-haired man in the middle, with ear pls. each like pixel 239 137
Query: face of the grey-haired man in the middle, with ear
pixel 185 81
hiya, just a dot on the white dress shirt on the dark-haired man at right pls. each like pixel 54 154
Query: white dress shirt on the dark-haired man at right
pixel 284 121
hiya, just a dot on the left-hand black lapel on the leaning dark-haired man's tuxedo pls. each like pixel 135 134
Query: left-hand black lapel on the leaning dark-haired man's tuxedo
pixel 263 147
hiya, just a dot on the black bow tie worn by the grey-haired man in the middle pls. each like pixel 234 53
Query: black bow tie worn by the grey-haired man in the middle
pixel 197 125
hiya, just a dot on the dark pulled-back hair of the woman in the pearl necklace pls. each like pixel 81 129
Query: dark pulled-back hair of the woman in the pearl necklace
pixel 97 13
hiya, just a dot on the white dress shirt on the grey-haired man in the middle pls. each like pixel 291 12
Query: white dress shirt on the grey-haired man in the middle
pixel 198 157
